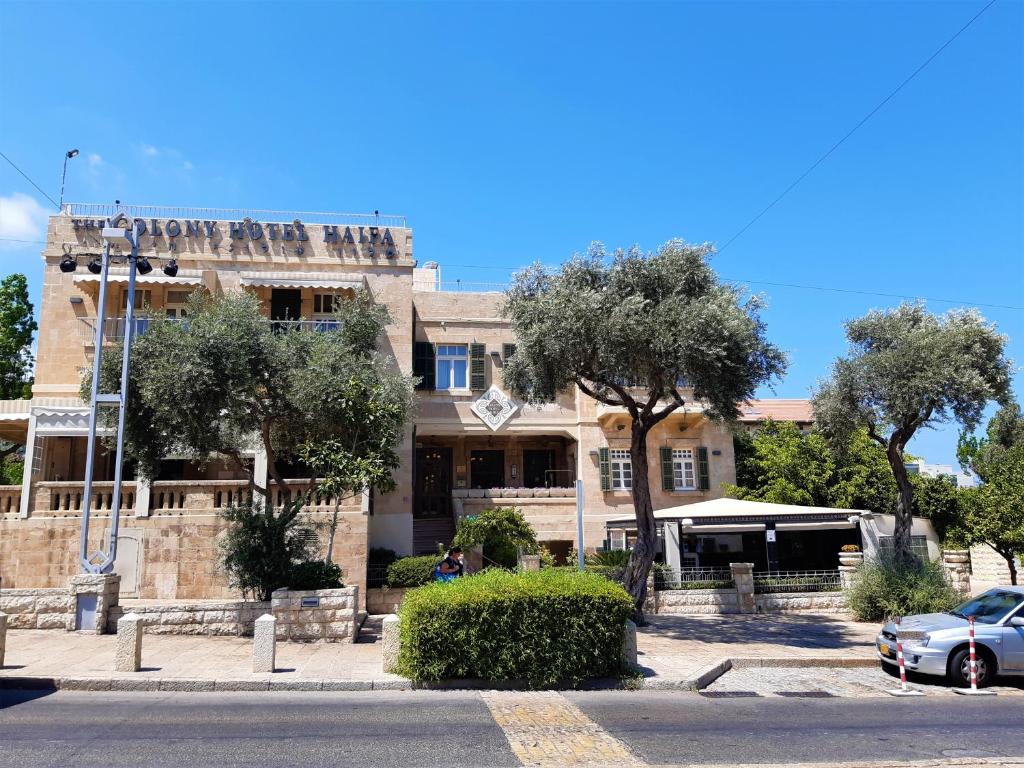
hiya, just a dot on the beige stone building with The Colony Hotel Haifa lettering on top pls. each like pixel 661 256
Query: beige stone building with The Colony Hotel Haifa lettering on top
pixel 470 448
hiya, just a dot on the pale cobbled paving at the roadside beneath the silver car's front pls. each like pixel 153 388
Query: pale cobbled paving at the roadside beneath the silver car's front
pixel 857 684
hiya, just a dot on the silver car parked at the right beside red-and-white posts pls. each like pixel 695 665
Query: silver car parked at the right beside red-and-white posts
pixel 937 644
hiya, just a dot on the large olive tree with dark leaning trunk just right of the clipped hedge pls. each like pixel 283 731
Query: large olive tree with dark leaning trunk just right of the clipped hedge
pixel 638 331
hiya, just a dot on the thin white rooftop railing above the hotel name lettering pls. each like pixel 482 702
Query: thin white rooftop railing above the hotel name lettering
pixel 94 210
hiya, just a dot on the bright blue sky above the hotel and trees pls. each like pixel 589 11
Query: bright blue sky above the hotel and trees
pixel 514 133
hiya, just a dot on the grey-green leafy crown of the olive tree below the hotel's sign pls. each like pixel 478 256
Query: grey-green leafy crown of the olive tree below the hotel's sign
pixel 229 381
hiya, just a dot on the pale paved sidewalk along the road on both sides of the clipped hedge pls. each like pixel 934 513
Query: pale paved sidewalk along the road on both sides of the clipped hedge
pixel 675 653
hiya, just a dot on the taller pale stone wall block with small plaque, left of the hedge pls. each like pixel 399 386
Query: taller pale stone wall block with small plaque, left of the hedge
pixel 317 615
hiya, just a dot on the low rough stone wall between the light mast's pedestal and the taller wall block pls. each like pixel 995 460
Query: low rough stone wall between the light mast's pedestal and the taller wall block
pixel 227 619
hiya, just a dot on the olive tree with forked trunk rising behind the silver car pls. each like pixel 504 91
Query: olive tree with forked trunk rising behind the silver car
pixel 909 370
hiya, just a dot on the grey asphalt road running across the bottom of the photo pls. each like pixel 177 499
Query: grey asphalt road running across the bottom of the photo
pixel 434 729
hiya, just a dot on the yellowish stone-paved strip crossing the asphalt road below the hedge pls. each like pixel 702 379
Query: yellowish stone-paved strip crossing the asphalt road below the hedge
pixel 546 732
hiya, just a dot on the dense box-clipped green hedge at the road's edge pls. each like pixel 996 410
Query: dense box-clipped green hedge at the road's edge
pixel 552 627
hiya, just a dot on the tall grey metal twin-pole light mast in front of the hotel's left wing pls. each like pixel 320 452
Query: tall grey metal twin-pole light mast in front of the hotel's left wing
pixel 114 235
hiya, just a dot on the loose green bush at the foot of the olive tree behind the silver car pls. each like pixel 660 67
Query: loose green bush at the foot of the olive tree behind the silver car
pixel 886 588
